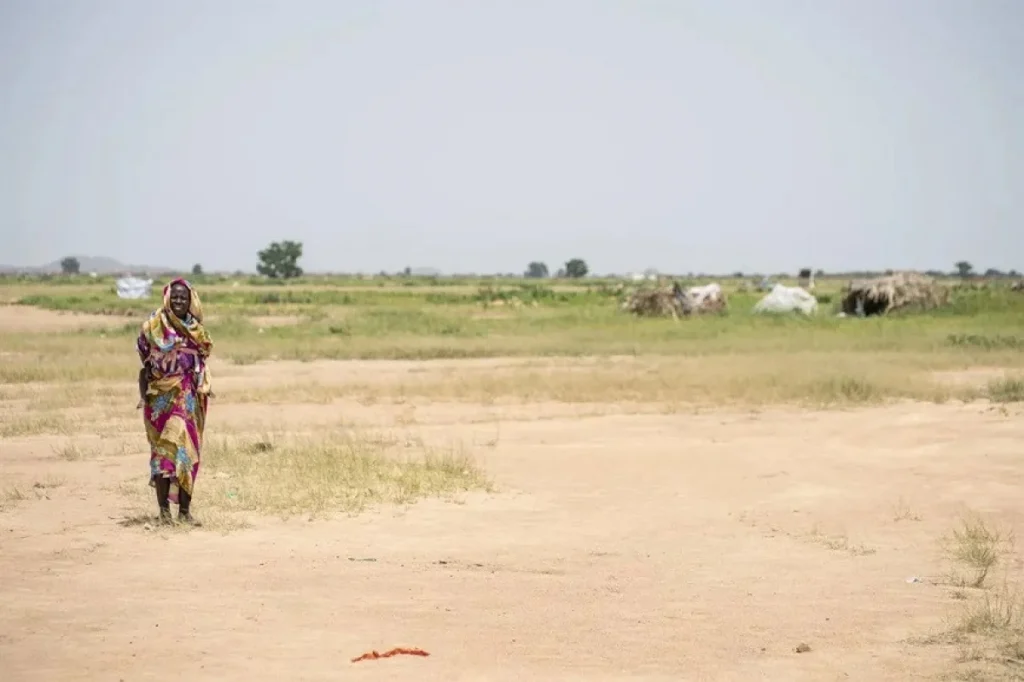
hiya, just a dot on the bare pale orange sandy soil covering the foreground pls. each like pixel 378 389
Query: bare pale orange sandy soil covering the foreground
pixel 659 547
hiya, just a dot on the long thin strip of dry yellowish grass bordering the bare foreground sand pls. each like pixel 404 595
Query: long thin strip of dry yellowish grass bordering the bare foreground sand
pixel 816 380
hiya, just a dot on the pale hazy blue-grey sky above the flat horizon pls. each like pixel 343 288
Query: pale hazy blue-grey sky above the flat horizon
pixel 688 136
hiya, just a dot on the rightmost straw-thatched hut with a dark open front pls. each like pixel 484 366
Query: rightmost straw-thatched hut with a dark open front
pixel 900 291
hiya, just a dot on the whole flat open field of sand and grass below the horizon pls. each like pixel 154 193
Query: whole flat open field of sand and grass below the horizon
pixel 545 490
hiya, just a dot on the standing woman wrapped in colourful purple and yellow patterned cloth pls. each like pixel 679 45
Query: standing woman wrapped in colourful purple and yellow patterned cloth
pixel 175 385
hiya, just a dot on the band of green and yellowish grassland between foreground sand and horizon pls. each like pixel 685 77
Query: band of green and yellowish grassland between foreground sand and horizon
pixel 737 358
